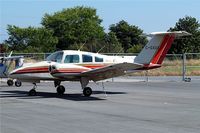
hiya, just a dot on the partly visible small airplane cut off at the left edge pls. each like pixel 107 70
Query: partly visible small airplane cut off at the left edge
pixel 5 64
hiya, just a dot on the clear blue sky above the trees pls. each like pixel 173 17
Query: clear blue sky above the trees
pixel 149 15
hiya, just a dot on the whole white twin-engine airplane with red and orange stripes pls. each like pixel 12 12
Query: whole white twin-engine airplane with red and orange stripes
pixel 69 65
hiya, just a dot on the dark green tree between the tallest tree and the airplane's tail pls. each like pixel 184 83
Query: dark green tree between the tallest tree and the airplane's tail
pixel 128 35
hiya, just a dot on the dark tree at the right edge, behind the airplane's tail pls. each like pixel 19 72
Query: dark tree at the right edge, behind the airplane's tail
pixel 189 44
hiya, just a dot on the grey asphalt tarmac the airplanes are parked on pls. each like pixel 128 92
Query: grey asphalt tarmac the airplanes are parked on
pixel 127 107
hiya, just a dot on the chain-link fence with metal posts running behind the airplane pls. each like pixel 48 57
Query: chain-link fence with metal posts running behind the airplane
pixel 186 66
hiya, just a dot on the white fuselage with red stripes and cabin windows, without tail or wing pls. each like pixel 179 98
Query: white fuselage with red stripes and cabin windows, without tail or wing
pixel 70 63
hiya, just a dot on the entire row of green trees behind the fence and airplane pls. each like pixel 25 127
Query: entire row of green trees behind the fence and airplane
pixel 80 28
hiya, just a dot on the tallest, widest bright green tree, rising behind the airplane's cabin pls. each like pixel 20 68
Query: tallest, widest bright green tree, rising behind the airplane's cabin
pixel 74 26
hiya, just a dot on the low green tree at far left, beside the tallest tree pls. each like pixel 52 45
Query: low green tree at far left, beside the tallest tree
pixel 31 39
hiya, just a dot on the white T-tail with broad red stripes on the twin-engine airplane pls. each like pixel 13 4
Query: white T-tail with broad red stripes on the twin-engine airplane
pixel 153 54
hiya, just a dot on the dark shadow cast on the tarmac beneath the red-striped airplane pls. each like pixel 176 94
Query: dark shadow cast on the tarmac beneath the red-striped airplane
pixel 73 97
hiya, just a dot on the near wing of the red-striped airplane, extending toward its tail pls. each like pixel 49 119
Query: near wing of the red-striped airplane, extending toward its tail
pixel 110 71
